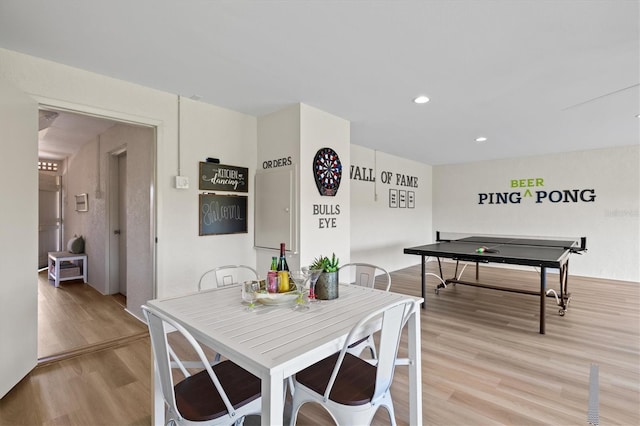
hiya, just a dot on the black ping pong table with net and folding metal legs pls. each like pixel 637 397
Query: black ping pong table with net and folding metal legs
pixel 523 251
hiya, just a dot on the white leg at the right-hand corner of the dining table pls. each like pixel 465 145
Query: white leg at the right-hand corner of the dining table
pixel 415 369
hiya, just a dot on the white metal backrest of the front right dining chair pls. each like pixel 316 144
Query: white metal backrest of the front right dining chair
pixel 394 316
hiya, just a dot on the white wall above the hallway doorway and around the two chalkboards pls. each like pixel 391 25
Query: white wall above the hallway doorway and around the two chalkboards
pixel 206 131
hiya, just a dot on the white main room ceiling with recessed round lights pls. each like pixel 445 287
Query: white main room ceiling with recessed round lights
pixel 533 77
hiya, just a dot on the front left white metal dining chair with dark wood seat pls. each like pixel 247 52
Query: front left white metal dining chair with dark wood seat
pixel 221 394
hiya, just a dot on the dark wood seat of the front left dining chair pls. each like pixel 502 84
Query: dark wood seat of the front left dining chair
pixel 198 400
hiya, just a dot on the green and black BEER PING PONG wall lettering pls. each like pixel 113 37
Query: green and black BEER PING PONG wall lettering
pixel 535 190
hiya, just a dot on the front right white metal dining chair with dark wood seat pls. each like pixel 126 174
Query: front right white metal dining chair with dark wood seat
pixel 350 388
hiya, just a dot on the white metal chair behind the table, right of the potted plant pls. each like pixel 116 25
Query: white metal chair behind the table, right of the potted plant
pixel 366 275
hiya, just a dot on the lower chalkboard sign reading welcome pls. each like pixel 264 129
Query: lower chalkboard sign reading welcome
pixel 223 214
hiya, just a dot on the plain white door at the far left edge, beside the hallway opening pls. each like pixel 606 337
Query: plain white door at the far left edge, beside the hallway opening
pixel 18 236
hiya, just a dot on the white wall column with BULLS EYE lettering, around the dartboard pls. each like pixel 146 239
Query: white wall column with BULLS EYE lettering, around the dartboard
pixel 295 134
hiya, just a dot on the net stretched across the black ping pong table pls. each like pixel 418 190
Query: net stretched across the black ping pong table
pixel 492 243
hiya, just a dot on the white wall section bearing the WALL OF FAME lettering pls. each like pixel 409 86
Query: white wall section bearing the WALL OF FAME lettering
pixel 380 232
